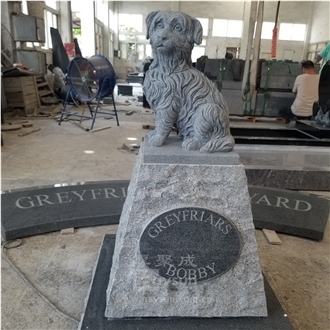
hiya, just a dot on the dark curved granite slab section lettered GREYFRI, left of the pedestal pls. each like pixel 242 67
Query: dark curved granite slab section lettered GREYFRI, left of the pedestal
pixel 42 210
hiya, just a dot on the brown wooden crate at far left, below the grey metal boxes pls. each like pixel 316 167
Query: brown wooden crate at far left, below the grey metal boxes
pixel 22 92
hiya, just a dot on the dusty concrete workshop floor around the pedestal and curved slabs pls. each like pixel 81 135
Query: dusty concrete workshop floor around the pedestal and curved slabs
pixel 61 266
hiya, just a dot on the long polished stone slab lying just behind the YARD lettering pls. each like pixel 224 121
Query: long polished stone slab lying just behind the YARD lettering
pixel 286 167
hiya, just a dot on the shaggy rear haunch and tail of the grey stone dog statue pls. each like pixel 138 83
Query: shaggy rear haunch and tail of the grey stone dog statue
pixel 212 129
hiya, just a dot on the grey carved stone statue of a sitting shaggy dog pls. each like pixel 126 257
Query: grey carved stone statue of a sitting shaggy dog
pixel 180 94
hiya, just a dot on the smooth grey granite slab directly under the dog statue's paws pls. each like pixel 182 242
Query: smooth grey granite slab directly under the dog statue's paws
pixel 172 153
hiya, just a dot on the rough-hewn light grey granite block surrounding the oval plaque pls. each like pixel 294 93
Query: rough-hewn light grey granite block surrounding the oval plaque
pixel 135 290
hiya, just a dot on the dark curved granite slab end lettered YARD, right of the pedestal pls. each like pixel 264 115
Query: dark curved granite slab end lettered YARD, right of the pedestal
pixel 289 212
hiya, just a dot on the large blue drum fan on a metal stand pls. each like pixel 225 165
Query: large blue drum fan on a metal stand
pixel 90 79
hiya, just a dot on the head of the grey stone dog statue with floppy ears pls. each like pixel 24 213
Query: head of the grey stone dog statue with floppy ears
pixel 172 36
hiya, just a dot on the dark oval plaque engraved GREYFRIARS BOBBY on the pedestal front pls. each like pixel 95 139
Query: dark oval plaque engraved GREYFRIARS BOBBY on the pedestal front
pixel 190 244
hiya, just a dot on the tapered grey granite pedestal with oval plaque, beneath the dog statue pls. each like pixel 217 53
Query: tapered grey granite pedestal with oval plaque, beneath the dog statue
pixel 185 244
